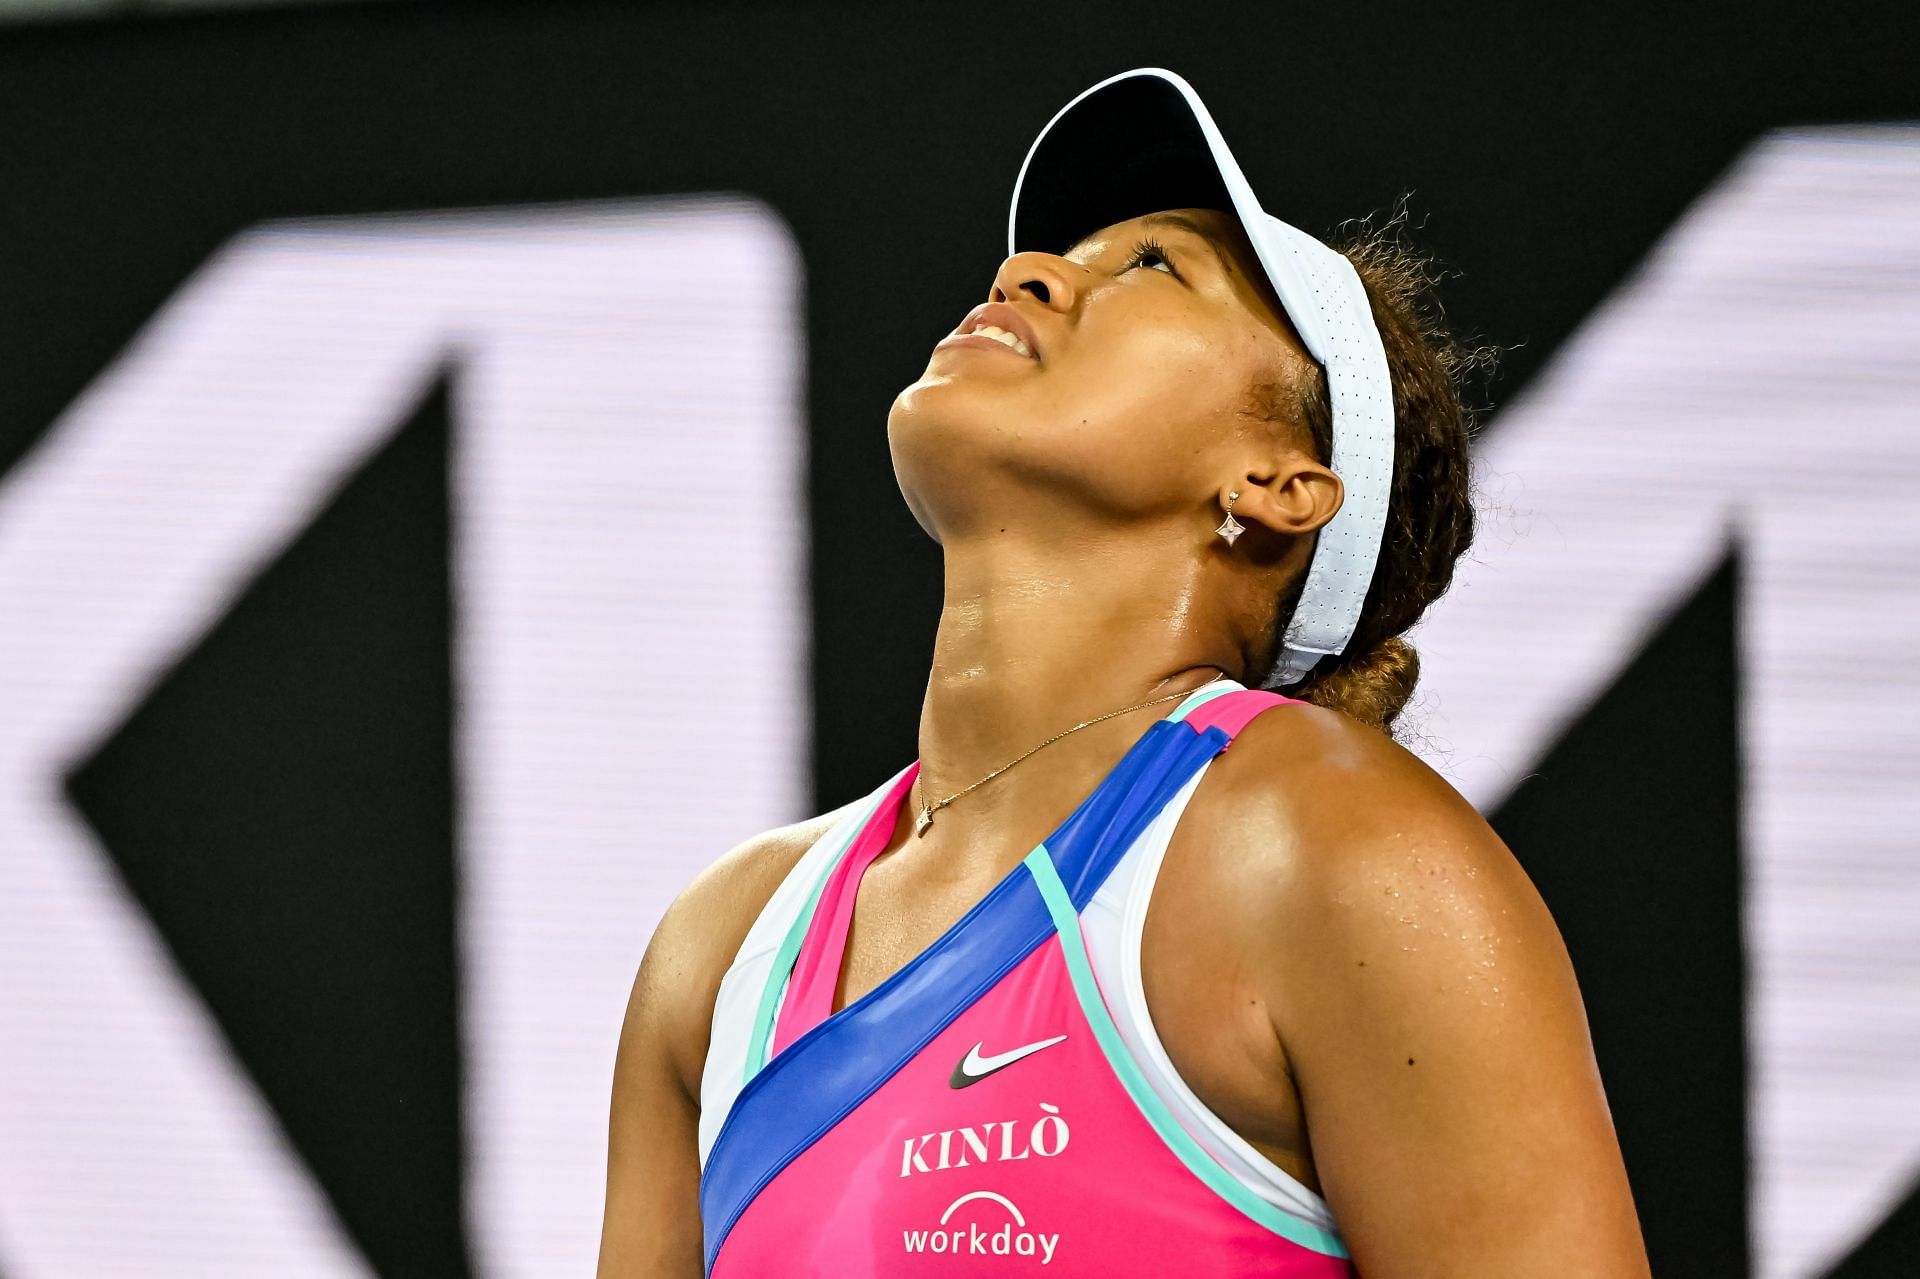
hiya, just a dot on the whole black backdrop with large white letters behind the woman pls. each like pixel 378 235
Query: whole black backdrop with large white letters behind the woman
pixel 444 504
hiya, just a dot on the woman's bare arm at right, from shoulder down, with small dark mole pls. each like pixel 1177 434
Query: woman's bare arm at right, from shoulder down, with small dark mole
pixel 1429 1011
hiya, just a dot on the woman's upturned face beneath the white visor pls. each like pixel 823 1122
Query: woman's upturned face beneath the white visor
pixel 1134 398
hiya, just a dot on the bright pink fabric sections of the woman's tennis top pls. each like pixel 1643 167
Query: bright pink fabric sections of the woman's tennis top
pixel 1045 1165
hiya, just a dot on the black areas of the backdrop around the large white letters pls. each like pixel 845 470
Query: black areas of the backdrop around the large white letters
pixel 1545 153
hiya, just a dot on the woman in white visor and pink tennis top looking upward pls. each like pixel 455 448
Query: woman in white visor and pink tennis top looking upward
pixel 1080 990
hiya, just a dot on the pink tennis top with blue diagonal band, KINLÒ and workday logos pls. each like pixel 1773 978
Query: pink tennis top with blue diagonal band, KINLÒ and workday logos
pixel 978 1113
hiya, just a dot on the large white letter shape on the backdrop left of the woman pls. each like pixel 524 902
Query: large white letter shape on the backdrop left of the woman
pixel 631 633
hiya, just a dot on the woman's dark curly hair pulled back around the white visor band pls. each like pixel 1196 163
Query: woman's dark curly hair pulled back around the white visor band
pixel 1429 516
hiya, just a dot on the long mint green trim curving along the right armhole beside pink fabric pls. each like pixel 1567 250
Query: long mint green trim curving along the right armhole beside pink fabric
pixel 1203 1165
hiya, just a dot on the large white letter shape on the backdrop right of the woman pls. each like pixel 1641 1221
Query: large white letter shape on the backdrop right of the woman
pixel 1756 383
